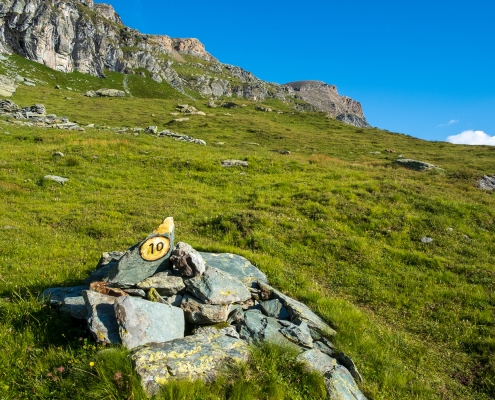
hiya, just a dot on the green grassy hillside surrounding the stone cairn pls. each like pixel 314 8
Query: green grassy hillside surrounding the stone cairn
pixel 331 224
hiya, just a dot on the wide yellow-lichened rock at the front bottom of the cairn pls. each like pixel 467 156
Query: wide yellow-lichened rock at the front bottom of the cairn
pixel 193 357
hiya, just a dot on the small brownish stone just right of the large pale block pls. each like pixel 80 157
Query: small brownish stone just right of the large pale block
pixel 196 312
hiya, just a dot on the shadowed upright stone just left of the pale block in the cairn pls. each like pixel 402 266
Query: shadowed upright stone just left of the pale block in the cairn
pixel 102 322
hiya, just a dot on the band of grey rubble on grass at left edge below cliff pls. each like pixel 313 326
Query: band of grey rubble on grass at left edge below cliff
pixel 35 115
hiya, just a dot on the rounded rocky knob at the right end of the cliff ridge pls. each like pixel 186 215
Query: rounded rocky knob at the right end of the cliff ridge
pixel 325 97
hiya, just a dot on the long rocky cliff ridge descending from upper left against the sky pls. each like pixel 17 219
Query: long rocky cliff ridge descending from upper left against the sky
pixel 69 35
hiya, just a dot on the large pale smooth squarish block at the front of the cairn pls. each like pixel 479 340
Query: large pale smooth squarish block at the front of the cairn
pixel 142 322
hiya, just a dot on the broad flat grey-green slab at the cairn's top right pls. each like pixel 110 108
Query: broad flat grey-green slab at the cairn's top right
pixel 236 266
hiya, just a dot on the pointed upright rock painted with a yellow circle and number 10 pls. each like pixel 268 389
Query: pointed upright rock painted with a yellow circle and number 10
pixel 146 258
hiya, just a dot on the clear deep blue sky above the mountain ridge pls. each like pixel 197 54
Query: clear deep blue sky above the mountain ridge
pixel 424 68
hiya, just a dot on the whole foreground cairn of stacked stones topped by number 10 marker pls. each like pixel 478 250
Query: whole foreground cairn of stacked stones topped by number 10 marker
pixel 185 314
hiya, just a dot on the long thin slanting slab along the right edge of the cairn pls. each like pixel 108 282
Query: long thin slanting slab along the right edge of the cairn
pixel 298 311
